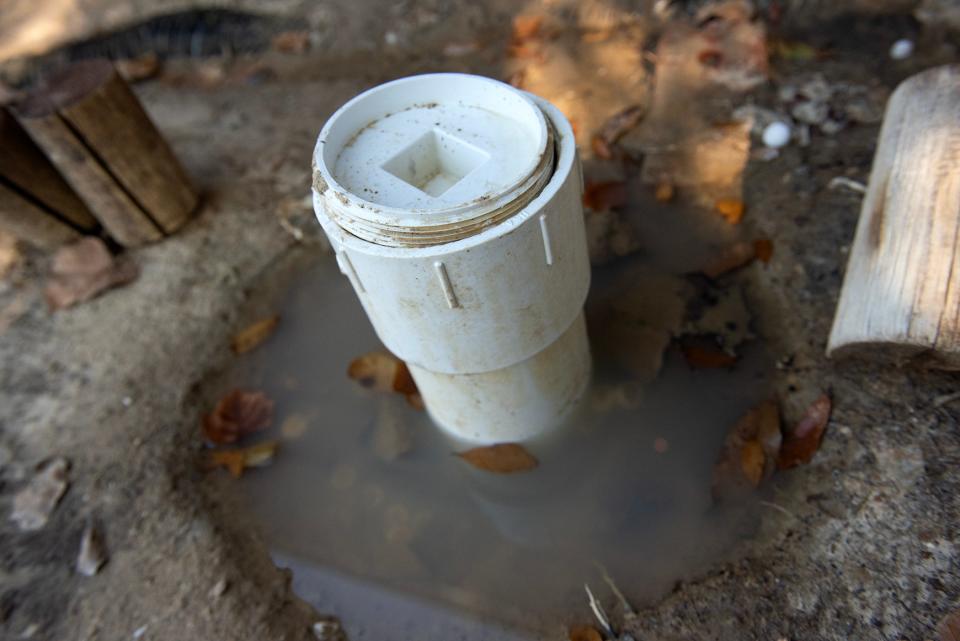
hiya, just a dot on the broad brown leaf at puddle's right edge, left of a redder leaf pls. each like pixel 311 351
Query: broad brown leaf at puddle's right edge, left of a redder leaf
pixel 750 452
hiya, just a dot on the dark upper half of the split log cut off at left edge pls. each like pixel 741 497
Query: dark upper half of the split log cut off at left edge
pixel 25 169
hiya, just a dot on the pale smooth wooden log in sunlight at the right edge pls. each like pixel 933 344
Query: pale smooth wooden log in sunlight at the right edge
pixel 901 294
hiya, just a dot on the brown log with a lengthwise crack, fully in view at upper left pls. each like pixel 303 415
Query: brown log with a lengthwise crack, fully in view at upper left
pixel 93 128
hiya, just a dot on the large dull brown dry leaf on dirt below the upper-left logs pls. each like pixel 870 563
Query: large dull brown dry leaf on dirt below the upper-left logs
pixel 84 269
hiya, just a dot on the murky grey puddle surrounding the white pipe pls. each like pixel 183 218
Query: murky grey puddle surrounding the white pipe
pixel 382 524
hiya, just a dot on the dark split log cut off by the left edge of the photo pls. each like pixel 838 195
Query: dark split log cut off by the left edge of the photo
pixel 36 205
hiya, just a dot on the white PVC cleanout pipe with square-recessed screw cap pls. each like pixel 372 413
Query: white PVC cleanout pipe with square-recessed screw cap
pixel 453 203
